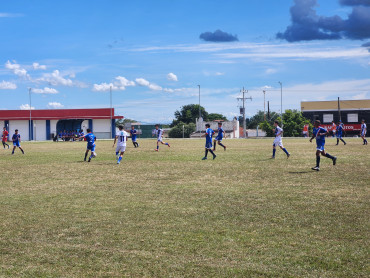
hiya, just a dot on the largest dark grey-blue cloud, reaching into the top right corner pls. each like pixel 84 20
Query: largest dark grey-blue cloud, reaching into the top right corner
pixel 307 25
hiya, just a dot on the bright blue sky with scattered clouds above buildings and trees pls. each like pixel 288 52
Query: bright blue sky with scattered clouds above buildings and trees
pixel 154 54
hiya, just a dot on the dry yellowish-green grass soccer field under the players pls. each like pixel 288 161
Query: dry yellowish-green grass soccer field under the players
pixel 170 214
